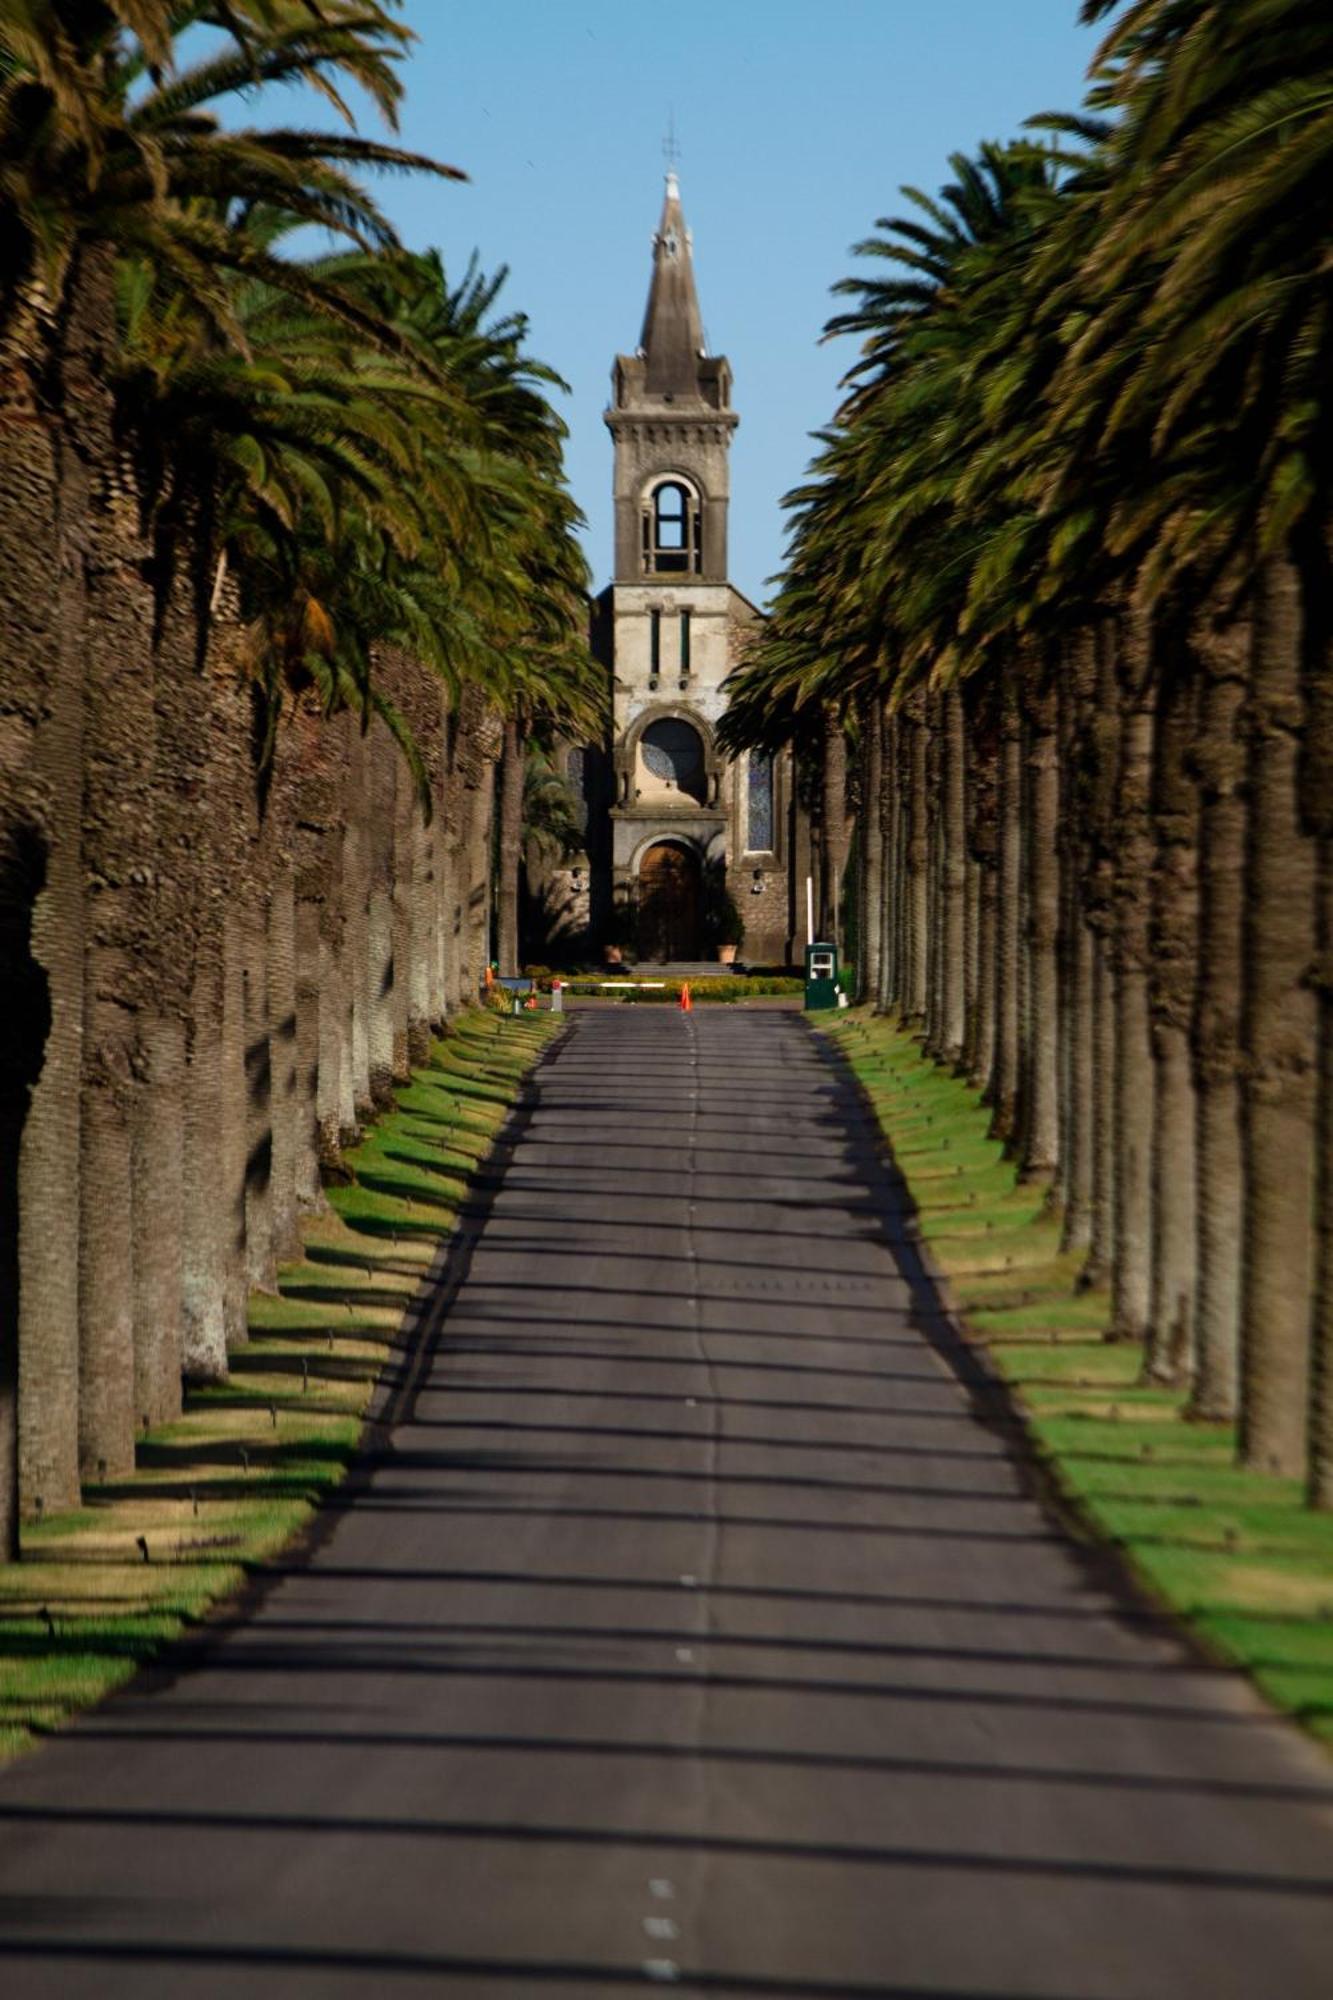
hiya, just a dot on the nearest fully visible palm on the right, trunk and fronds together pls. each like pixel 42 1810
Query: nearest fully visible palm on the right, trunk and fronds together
pixel 1226 145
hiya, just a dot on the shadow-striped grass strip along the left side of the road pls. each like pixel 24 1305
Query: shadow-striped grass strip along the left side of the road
pixel 241 1473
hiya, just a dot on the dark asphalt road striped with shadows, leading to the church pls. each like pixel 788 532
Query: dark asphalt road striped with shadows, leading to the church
pixel 698 1629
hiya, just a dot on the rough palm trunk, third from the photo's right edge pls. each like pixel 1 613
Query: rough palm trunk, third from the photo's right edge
pixel 1220 1159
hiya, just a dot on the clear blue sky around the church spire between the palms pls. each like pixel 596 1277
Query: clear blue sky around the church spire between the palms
pixel 798 123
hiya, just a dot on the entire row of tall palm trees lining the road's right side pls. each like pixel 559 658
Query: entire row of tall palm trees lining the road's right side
pixel 1062 575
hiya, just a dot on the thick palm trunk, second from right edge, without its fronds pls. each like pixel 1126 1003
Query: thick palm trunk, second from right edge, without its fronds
pixel 1280 1051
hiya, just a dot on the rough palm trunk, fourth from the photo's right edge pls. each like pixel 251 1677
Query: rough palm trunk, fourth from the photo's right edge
pixel 1172 997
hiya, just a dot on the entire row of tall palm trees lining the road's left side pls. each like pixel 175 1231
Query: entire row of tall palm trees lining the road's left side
pixel 287 585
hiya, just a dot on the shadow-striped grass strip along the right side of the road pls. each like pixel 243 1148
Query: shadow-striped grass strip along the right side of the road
pixel 1236 1555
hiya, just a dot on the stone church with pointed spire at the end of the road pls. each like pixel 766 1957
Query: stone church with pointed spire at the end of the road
pixel 672 819
